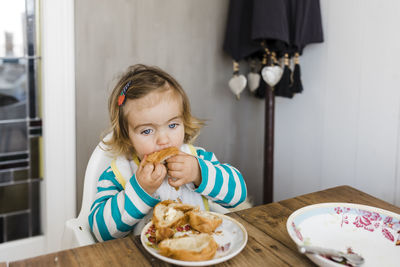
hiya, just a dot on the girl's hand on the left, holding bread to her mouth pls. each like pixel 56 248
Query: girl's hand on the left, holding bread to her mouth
pixel 150 176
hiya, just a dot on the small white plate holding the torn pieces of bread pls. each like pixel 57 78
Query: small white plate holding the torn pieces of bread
pixel 230 231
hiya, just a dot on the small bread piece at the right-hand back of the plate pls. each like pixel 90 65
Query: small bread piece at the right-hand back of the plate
pixel 203 221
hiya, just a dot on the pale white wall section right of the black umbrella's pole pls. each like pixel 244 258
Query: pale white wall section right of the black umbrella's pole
pixel 344 128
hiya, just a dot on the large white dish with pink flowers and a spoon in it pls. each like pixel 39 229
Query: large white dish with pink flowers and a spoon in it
pixel 368 231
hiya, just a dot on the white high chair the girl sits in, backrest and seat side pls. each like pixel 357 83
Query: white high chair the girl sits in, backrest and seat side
pixel 77 231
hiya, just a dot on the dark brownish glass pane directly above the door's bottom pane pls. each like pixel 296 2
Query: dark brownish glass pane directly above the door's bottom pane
pixel 14 198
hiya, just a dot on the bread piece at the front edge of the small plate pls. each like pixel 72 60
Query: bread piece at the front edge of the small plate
pixel 189 248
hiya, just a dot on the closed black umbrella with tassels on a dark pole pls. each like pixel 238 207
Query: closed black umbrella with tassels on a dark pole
pixel 283 27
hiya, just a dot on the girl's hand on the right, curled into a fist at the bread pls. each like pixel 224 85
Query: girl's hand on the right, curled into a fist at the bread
pixel 182 169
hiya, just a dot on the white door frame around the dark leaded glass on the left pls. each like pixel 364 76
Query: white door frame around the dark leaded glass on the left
pixel 58 188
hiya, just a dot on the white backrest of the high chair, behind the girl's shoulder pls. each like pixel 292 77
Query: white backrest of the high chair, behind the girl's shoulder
pixel 98 162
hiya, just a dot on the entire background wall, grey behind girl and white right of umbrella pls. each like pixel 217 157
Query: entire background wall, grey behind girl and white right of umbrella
pixel 343 129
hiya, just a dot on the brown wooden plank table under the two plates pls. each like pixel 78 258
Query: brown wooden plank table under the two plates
pixel 268 245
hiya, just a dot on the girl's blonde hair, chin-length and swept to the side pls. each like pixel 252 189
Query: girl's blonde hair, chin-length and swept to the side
pixel 144 80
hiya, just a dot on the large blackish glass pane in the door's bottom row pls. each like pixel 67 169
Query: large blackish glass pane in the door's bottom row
pixel 17 226
